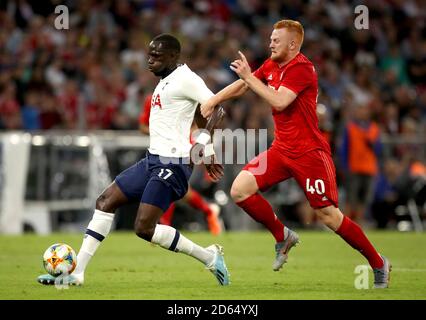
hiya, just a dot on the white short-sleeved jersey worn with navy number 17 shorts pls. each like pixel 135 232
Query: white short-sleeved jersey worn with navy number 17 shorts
pixel 173 106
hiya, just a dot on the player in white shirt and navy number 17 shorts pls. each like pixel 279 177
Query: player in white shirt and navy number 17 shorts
pixel 162 176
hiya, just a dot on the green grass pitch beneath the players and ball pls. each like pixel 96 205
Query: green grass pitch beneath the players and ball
pixel 126 267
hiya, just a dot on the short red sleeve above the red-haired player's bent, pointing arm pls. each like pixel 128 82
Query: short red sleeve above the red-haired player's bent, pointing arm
pixel 298 77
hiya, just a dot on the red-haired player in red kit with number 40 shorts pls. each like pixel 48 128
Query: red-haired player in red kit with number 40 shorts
pixel 287 80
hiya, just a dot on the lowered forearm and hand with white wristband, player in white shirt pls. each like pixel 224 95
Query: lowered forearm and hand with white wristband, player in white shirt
pixel 202 151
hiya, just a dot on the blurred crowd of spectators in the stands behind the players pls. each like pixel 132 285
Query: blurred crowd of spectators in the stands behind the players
pixel 94 76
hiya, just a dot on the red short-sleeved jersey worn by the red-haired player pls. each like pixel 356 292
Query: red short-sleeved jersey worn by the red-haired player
pixel 296 127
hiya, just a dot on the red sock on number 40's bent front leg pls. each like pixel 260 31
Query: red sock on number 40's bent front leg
pixel 261 211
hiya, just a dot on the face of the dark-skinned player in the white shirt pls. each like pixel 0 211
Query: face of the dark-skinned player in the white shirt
pixel 161 61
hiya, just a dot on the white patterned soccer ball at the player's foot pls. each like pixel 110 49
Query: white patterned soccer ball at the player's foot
pixel 59 259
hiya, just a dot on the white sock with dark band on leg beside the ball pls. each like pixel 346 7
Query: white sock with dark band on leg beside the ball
pixel 97 230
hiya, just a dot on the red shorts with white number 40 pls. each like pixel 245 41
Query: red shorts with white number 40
pixel 314 172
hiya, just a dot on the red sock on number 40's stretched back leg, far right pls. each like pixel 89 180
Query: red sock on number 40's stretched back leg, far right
pixel 356 238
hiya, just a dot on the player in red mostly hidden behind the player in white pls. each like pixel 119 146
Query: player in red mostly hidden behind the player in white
pixel 192 197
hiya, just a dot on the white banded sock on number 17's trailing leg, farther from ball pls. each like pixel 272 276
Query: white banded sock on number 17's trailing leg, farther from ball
pixel 169 238
